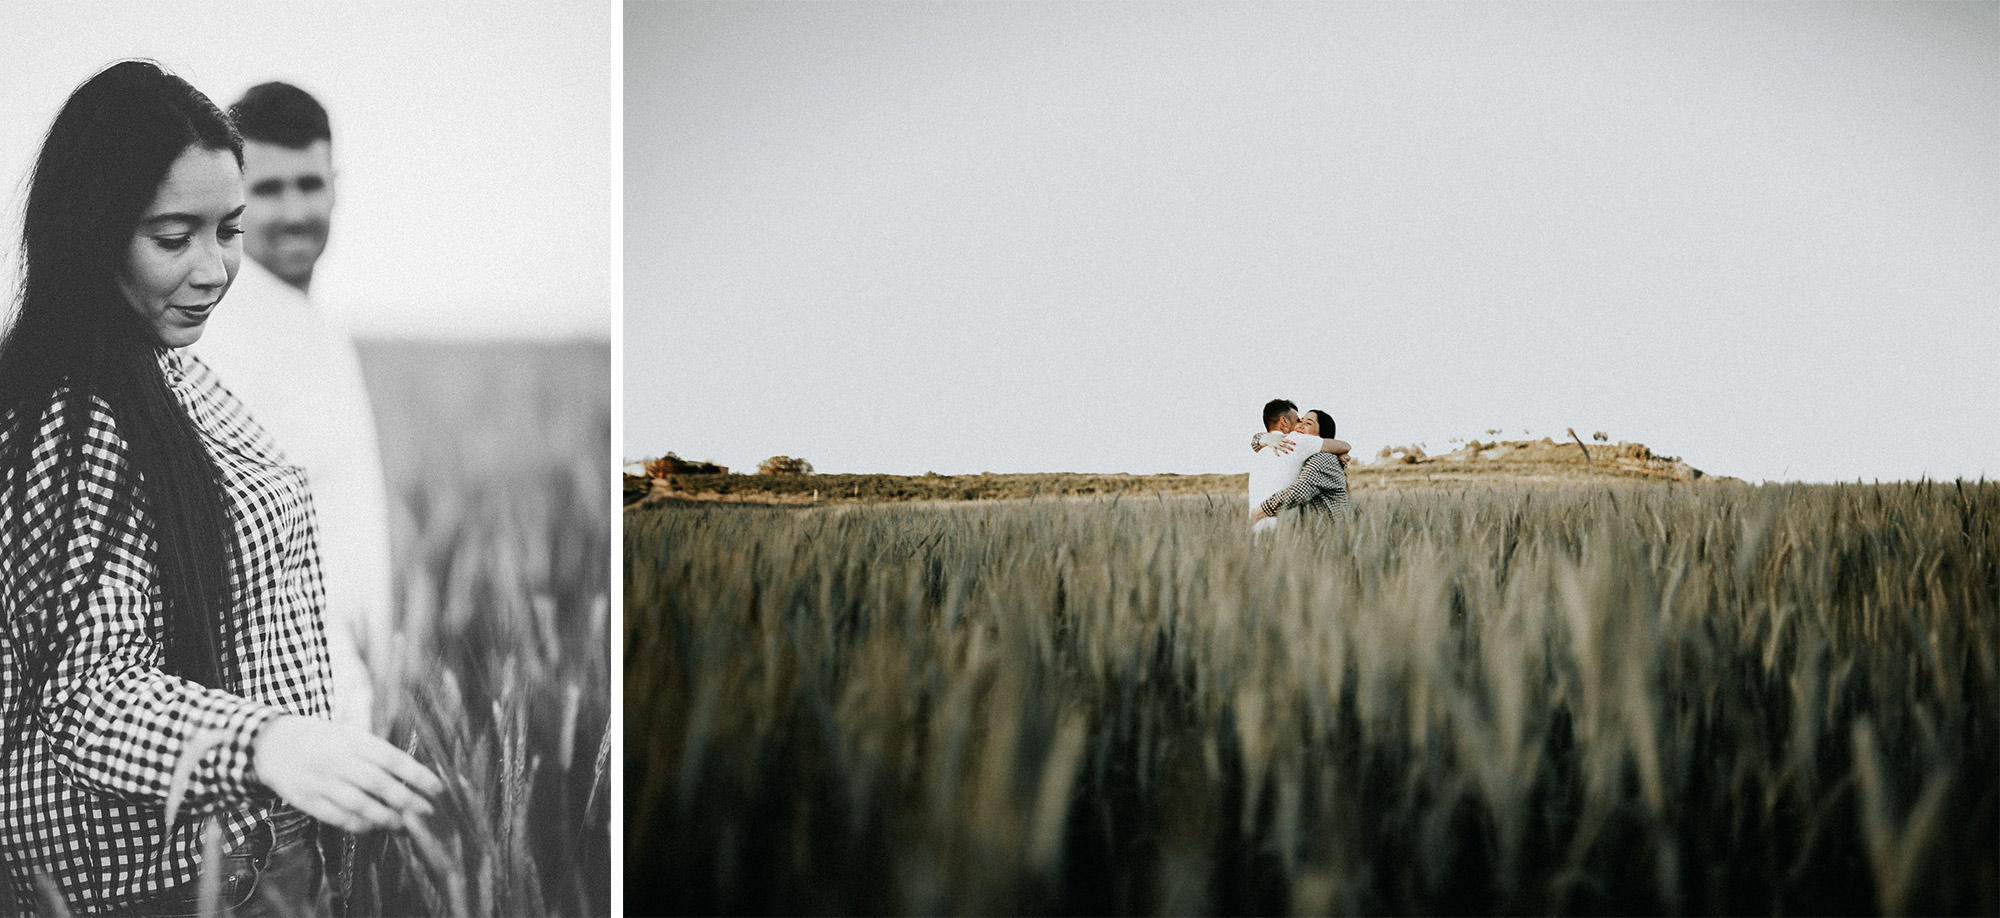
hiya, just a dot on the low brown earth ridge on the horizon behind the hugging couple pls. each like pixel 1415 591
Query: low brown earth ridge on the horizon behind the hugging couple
pixel 1397 467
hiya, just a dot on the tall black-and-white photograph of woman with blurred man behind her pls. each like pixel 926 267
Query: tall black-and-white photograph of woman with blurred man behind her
pixel 305 421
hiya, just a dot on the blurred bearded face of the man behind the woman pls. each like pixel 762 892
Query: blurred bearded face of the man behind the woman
pixel 291 195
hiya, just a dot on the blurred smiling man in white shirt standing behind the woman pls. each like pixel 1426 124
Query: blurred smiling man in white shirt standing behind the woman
pixel 295 367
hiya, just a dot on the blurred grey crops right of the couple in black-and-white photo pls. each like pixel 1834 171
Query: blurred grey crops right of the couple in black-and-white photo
pixel 501 683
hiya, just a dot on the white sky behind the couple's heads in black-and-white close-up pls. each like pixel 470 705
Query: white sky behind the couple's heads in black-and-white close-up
pixel 471 141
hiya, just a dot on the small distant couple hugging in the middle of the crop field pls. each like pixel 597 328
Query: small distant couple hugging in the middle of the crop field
pixel 1297 465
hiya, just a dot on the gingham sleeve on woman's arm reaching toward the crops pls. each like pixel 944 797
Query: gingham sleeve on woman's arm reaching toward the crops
pixel 117 723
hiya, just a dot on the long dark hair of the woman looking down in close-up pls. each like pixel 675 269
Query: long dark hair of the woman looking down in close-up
pixel 79 339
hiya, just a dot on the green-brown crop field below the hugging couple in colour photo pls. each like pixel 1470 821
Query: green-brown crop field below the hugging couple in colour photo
pixel 1567 699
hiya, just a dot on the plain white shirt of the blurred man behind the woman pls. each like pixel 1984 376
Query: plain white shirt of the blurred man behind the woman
pixel 297 371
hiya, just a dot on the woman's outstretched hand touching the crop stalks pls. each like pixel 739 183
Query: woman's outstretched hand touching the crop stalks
pixel 343 777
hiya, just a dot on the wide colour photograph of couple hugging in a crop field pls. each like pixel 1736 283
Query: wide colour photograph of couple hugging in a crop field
pixel 1311 459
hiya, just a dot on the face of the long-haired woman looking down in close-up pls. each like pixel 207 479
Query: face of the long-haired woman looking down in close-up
pixel 185 249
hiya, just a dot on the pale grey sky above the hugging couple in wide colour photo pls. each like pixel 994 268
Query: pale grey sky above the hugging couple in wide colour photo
pixel 1097 237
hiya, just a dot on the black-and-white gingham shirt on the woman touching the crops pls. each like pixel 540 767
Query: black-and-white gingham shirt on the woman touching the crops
pixel 87 787
